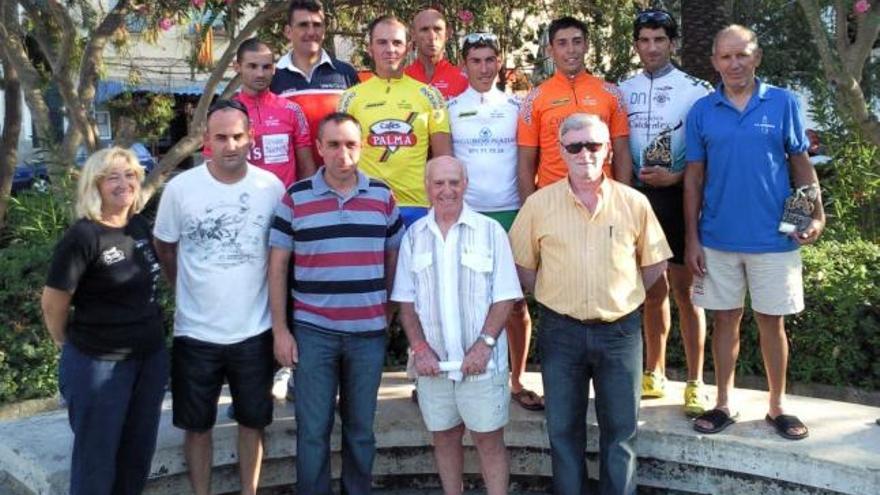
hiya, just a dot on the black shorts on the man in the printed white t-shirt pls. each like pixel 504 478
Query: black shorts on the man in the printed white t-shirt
pixel 198 370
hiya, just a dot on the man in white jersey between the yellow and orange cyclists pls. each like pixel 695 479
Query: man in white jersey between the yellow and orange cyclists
pixel 483 121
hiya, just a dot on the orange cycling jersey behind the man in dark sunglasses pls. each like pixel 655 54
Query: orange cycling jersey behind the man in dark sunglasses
pixel 549 104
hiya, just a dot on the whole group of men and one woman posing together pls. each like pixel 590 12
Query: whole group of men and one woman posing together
pixel 323 200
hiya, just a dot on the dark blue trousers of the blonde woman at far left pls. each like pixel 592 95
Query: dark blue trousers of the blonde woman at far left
pixel 113 408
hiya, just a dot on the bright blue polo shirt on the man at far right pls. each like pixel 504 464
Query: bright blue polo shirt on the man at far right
pixel 747 179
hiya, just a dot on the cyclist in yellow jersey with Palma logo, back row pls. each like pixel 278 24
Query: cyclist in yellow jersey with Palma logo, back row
pixel 401 120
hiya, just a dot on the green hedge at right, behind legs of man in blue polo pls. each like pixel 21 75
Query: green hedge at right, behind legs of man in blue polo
pixel 836 339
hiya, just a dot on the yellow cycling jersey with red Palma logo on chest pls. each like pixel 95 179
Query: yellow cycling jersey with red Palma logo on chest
pixel 398 117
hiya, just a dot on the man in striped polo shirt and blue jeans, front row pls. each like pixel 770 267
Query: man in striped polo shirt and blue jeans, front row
pixel 339 232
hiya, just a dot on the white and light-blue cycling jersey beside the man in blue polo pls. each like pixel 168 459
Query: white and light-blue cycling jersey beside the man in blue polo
pixel 657 108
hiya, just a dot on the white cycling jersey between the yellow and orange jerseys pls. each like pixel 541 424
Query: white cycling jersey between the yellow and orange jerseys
pixel 483 129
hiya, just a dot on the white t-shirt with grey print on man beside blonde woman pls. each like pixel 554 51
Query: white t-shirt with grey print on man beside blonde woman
pixel 222 231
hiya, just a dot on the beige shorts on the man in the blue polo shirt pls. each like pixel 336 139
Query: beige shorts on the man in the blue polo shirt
pixel 774 281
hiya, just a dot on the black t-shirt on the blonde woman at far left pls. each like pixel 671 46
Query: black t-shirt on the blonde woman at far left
pixel 113 273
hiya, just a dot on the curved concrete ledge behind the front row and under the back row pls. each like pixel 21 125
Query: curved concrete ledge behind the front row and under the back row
pixel 842 454
